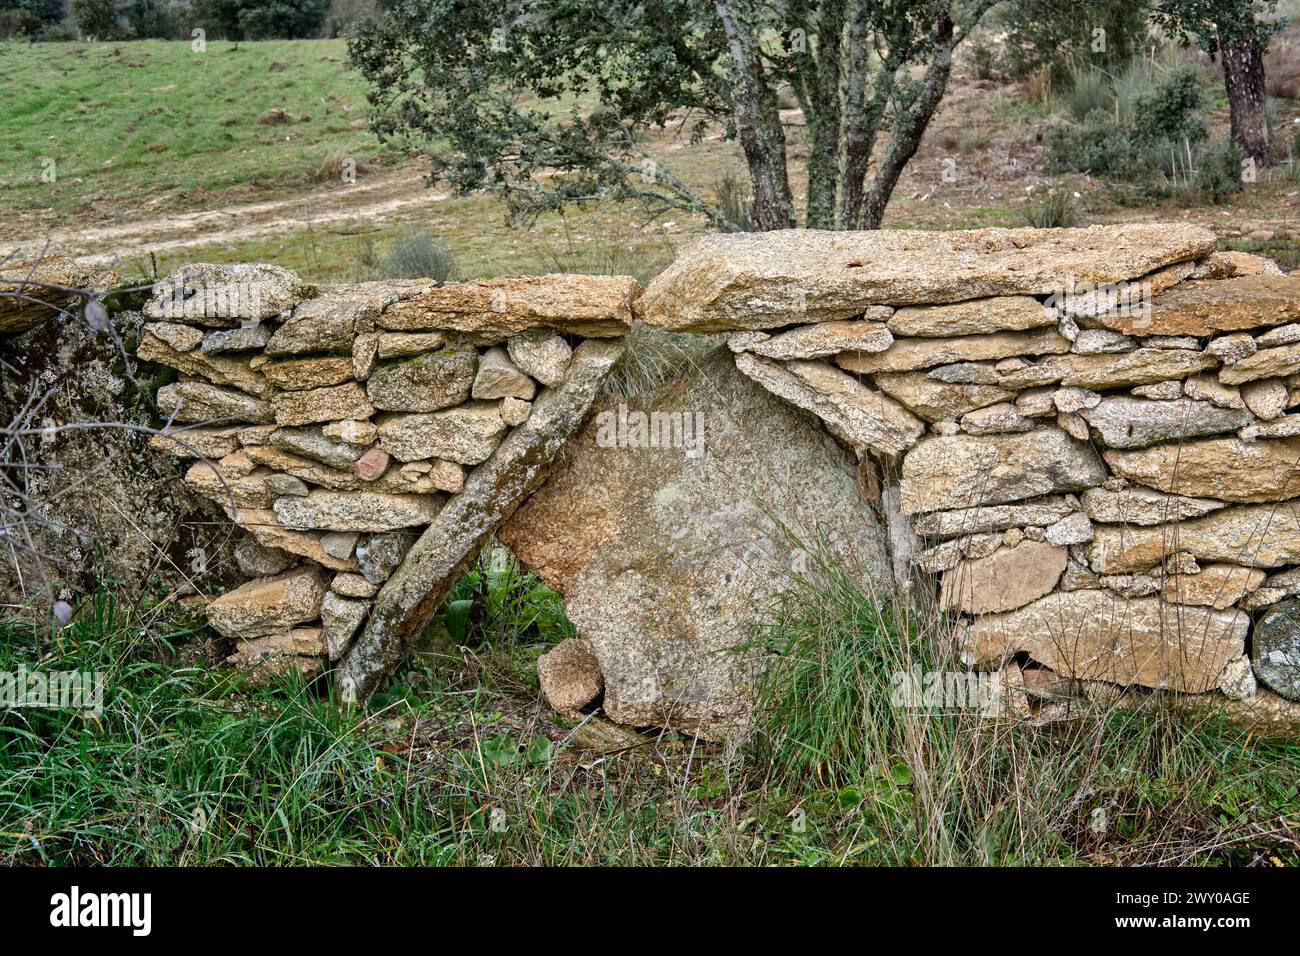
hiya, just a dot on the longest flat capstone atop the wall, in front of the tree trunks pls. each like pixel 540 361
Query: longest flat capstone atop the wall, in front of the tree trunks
pixel 768 280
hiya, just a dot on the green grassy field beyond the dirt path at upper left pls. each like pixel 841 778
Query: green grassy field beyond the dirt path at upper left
pixel 155 127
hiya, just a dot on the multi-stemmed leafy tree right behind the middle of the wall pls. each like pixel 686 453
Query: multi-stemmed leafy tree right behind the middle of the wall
pixel 549 105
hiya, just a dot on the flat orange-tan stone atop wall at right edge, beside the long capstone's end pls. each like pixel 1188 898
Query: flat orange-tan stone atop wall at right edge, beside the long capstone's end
pixel 1210 306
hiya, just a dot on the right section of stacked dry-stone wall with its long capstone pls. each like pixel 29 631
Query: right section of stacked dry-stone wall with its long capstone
pixel 1107 483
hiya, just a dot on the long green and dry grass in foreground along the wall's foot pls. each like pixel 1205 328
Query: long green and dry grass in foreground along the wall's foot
pixel 458 763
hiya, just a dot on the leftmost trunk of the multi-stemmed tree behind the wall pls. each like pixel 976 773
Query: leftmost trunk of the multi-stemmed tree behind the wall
pixel 759 127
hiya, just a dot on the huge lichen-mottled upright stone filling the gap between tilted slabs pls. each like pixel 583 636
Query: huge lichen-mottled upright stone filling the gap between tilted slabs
pixel 629 534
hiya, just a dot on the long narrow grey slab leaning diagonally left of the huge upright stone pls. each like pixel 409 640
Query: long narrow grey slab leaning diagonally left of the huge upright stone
pixel 492 494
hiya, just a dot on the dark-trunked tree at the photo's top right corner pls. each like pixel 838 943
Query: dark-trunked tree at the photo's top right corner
pixel 1236 33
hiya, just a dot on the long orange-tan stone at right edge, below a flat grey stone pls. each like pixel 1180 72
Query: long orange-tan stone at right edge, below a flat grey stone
pixel 1225 469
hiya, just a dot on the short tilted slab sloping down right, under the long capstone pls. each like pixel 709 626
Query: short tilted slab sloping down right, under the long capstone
pixel 863 417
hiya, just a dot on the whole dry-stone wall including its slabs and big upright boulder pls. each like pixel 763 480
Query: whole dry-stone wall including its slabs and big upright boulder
pixel 1084 442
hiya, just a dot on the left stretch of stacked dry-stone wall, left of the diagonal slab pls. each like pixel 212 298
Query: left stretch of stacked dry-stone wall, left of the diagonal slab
pixel 336 425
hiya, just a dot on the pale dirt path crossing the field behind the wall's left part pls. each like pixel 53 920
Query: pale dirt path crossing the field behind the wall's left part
pixel 374 200
